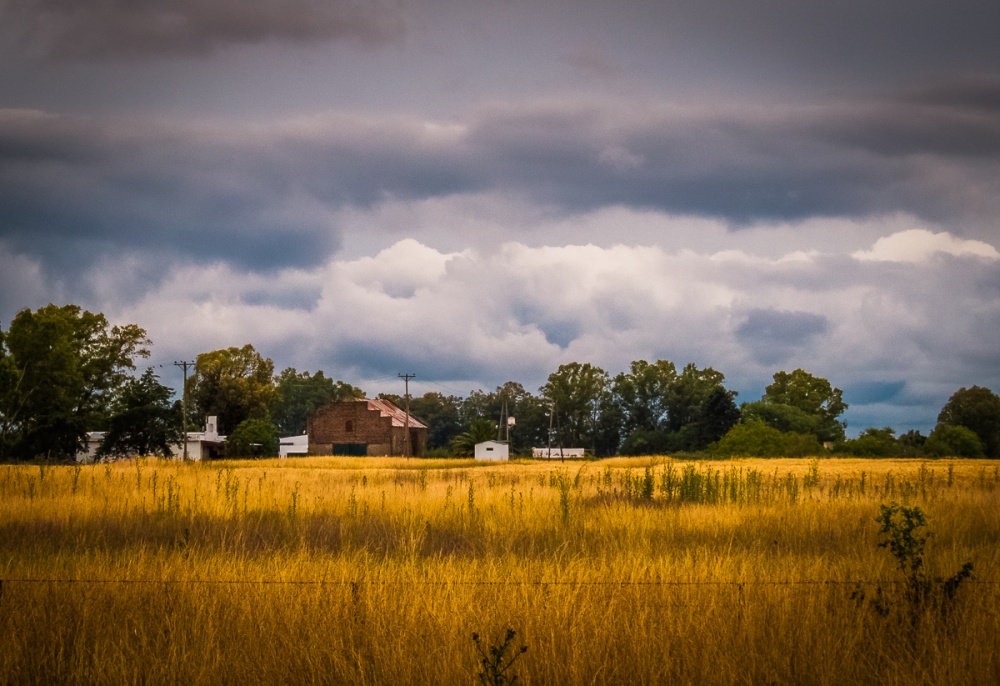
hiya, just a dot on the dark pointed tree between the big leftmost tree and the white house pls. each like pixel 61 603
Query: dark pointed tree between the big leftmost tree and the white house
pixel 144 420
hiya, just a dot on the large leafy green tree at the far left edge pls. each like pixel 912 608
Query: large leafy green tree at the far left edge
pixel 60 369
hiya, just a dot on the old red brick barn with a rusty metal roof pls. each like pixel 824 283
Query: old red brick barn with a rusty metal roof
pixel 366 427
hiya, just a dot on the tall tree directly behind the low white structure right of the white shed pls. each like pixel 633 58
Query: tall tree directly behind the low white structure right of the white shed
pixel 578 392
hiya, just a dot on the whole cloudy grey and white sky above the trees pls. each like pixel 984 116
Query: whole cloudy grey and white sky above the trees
pixel 476 192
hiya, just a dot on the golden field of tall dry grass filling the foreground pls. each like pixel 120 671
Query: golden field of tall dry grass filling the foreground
pixel 378 571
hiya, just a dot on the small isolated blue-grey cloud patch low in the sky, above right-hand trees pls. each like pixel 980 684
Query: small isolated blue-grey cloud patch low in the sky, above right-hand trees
pixel 772 336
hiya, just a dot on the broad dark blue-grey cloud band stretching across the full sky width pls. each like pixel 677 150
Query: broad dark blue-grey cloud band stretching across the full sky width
pixel 265 196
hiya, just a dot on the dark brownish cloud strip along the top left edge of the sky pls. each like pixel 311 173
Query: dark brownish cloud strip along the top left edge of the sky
pixel 130 28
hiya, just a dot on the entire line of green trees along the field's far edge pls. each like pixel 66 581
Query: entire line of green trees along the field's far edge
pixel 65 371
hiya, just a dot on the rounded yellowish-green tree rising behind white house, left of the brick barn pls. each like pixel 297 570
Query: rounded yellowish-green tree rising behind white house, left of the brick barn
pixel 234 384
